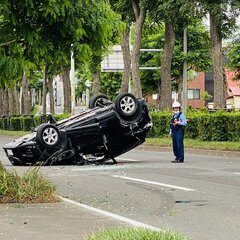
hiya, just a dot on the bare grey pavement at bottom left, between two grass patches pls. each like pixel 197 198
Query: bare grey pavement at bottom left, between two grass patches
pixel 57 221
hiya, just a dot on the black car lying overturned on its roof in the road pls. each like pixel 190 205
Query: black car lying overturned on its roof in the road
pixel 106 130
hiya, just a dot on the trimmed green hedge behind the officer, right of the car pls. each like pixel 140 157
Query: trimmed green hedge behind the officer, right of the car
pixel 216 126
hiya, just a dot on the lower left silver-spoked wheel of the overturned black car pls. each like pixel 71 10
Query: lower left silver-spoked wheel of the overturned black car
pixel 48 135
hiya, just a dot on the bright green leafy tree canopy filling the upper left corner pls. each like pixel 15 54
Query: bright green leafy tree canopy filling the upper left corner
pixel 44 33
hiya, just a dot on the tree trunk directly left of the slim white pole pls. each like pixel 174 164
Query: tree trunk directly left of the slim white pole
pixel 66 90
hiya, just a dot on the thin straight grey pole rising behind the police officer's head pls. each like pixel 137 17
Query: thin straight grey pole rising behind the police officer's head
pixel 184 83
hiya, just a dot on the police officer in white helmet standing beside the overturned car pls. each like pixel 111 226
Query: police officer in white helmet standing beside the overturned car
pixel 177 124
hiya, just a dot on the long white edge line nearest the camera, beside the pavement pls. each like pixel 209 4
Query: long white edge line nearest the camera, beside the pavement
pixel 112 215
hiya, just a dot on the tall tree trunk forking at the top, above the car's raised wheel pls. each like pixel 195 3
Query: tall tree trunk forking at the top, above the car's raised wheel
pixel 140 15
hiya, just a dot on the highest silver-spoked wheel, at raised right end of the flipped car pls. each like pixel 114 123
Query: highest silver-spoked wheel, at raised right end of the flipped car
pixel 126 104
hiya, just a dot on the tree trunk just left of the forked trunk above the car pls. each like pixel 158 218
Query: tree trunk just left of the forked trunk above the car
pixel 126 60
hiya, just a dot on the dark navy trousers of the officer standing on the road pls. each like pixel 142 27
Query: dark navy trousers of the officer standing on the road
pixel 178 146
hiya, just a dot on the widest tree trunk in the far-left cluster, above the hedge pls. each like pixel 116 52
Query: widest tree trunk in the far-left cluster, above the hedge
pixel 25 99
